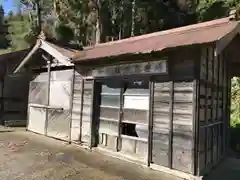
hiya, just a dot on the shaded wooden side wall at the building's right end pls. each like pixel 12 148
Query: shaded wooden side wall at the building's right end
pixel 212 107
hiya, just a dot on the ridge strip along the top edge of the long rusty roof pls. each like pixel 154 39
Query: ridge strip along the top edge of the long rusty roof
pixel 182 29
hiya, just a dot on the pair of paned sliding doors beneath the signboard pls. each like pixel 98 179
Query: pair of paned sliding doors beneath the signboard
pixel 123 120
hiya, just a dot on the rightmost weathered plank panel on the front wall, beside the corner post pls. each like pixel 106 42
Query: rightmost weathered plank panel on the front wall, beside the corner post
pixel 182 126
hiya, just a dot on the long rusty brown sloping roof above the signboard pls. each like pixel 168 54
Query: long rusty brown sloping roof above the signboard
pixel 206 32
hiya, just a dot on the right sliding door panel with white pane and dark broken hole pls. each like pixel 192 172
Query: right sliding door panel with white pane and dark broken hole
pixel 134 119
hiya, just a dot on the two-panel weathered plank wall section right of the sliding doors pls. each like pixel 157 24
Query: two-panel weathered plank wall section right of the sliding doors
pixel 181 131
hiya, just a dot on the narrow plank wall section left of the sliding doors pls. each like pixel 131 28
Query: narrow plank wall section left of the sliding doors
pixel 81 110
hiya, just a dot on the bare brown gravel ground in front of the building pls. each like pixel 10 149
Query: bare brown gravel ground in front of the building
pixel 27 156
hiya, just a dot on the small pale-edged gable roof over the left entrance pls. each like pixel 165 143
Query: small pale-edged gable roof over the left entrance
pixel 61 54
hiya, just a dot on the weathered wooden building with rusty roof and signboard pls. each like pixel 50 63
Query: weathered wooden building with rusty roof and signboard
pixel 160 99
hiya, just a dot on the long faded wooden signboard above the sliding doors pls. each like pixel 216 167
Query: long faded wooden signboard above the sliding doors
pixel 152 67
